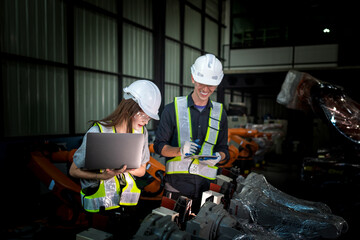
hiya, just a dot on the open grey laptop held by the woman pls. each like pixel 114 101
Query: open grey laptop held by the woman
pixel 113 150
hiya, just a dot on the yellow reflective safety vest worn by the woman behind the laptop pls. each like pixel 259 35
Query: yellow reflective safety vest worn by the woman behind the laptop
pixel 110 193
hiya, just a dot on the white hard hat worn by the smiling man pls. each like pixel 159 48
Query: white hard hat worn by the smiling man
pixel 207 70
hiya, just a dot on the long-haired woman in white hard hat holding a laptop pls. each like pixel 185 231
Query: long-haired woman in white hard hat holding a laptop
pixel 108 189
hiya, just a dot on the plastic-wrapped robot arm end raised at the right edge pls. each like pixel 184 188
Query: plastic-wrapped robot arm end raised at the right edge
pixel 304 92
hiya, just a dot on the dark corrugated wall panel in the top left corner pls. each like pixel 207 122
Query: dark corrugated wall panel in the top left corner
pixel 34 29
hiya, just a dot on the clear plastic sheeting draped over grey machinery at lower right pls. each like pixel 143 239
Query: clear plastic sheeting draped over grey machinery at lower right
pixel 287 216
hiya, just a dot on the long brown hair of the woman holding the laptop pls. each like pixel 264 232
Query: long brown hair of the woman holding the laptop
pixel 124 112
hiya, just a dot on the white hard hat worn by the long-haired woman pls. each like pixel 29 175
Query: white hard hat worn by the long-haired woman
pixel 147 95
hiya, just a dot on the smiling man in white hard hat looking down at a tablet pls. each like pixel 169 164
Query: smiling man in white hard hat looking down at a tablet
pixel 191 125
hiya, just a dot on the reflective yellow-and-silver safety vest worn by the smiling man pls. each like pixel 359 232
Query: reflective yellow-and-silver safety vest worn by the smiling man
pixel 181 165
